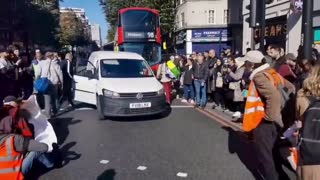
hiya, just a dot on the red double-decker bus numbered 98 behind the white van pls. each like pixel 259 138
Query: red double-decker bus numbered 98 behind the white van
pixel 139 32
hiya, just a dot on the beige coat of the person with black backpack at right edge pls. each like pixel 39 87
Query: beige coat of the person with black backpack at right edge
pixel 308 172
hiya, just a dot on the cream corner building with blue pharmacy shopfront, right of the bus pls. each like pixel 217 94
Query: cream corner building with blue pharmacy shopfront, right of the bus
pixel 203 25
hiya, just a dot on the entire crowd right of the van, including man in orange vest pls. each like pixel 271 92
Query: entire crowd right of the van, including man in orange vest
pixel 274 95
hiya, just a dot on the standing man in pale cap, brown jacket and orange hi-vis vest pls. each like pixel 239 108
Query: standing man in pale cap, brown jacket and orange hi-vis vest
pixel 262 114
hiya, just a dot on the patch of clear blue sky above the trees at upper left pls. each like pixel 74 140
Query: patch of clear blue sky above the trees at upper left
pixel 93 11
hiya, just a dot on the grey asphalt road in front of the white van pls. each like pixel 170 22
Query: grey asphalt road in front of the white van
pixel 184 145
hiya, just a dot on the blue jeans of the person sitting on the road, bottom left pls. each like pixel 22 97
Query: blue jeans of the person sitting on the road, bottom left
pixel 46 159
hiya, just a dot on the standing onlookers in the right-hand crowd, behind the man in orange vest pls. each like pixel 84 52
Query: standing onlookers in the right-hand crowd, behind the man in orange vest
pixel 224 81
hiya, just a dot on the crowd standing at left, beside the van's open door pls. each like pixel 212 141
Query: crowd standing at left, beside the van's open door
pixel 20 75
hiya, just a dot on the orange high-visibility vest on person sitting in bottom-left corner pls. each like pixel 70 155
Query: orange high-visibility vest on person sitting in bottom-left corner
pixel 10 161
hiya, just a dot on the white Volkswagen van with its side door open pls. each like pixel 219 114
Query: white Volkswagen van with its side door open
pixel 119 84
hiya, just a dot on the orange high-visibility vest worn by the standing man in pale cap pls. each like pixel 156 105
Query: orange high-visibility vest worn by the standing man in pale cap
pixel 255 108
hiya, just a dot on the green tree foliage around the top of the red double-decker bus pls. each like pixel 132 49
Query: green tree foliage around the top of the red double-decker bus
pixel 165 7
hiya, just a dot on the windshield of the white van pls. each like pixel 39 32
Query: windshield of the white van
pixel 124 68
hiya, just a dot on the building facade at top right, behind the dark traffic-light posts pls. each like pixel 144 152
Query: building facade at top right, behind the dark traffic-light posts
pixel 283 25
